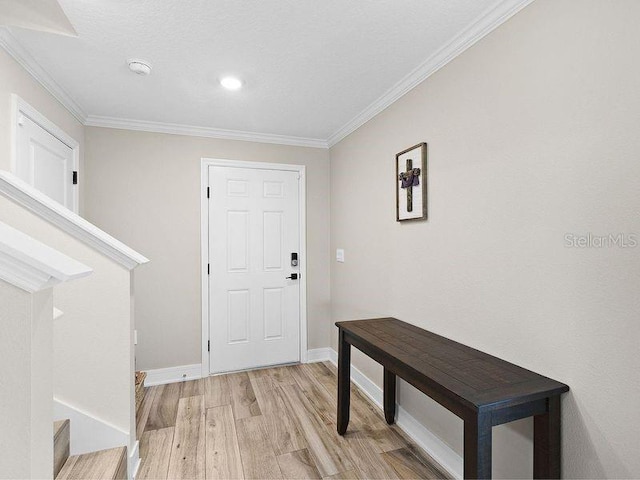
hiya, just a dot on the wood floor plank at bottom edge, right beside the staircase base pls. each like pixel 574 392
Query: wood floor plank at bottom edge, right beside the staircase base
pixel 155 451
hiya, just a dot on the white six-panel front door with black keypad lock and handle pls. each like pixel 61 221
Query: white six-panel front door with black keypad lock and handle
pixel 254 309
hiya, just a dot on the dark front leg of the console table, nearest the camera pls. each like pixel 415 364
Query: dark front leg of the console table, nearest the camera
pixel 477 447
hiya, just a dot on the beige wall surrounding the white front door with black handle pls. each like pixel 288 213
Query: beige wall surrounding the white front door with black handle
pixel 144 188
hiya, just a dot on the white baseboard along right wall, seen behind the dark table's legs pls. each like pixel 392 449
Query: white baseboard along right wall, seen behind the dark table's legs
pixel 424 438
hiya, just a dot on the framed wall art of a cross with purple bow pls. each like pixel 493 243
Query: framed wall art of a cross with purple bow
pixel 411 183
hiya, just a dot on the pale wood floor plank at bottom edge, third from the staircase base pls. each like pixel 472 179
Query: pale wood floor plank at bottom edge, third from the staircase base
pixel 223 459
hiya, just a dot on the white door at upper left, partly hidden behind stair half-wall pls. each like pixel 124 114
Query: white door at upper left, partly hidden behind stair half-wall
pixel 44 162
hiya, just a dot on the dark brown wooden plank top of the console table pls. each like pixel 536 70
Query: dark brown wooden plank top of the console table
pixel 461 373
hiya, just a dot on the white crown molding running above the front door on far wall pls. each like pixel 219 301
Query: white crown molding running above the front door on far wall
pixel 196 131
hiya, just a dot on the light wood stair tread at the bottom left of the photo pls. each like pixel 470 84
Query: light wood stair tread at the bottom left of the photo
pixel 108 464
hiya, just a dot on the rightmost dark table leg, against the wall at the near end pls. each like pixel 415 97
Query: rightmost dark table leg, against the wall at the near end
pixel 546 441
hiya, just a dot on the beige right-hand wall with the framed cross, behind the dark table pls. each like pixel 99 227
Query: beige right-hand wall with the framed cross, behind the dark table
pixel 532 133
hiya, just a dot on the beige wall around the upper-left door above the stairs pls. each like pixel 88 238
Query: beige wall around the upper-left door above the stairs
pixel 15 79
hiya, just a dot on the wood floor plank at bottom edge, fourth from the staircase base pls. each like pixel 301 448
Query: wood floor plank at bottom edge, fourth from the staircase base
pixel 258 458
